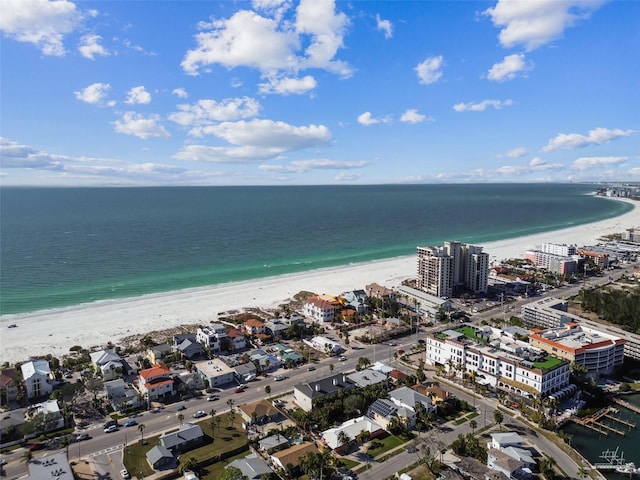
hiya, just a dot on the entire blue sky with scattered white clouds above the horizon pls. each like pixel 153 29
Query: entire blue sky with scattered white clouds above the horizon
pixel 278 92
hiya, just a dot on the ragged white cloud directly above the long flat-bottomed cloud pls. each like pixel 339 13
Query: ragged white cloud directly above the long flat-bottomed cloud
pixel 207 112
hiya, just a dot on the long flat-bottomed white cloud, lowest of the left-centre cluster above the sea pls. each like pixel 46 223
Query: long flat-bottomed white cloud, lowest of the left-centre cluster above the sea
pixel 269 134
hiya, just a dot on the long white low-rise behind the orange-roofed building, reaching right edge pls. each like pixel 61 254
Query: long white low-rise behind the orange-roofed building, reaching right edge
pixel 552 312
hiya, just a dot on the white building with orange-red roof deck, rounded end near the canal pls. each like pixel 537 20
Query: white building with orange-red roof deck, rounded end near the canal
pixel 600 353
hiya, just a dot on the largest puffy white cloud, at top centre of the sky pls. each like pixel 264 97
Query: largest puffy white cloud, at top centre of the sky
pixel 273 45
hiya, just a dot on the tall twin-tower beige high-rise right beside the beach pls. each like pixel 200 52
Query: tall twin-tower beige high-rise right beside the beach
pixel 454 266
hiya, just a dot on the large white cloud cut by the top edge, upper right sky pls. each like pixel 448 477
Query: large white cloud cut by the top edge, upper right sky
pixel 536 23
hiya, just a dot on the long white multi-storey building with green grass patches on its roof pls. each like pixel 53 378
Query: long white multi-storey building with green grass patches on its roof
pixel 497 360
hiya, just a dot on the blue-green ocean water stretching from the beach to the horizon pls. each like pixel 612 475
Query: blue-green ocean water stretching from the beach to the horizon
pixel 66 246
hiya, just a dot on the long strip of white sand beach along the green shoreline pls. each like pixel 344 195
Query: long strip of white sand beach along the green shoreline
pixel 95 324
